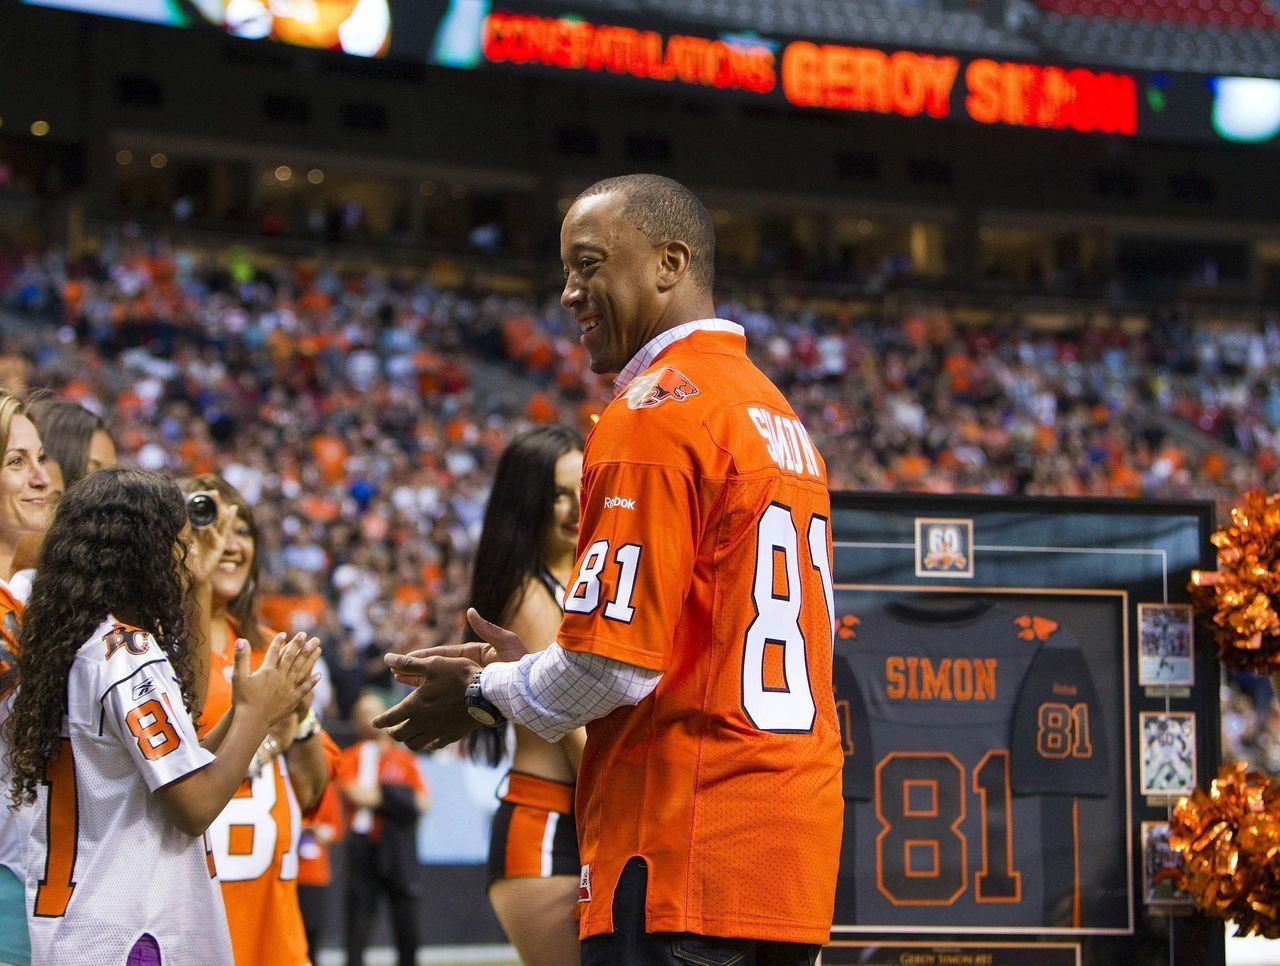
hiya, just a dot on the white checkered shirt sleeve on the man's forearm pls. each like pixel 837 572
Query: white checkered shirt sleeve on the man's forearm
pixel 556 692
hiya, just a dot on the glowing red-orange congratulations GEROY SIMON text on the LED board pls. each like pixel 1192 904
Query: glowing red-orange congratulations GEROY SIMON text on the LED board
pixel 830 76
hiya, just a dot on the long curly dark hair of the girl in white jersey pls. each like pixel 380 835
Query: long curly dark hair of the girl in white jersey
pixel 112 550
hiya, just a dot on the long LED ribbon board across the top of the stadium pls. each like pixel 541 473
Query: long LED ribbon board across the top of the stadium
pixel 559 39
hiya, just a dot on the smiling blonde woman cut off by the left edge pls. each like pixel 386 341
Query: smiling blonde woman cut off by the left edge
pixel 26 507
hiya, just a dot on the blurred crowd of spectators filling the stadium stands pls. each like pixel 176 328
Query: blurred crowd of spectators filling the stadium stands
pixel 362 413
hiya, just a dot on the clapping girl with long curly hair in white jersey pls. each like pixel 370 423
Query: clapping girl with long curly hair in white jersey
pixel 103 736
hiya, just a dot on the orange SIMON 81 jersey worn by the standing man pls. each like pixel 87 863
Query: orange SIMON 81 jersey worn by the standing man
pixel 705 552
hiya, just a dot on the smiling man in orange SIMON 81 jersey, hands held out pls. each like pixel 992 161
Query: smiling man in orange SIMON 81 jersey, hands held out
pixel 697 639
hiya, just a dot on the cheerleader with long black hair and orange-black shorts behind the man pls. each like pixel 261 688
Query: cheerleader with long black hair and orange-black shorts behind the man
pixel 524 560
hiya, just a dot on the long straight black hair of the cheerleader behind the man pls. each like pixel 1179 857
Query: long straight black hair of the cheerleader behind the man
pixel 522 509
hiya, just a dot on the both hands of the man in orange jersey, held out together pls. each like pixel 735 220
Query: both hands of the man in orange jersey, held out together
pixel 435 715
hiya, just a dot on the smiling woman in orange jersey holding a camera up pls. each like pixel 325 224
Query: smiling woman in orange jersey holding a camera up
pixel 290 772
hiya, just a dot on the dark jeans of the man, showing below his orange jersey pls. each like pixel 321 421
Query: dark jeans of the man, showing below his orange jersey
pixel 629 945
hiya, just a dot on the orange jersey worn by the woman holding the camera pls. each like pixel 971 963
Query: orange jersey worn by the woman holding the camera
pixel 255 843
